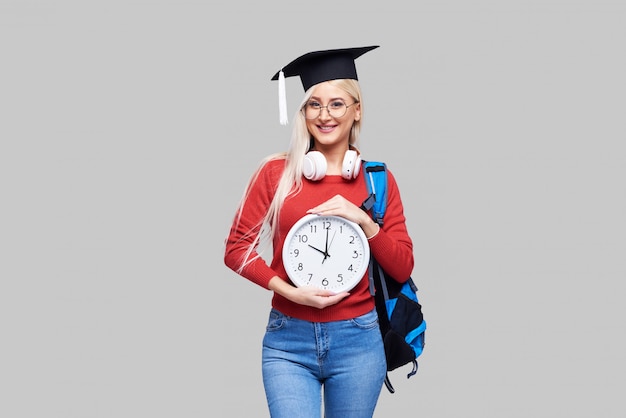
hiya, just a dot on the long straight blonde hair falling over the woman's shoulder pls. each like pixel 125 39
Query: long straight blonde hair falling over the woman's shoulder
pixel 291 179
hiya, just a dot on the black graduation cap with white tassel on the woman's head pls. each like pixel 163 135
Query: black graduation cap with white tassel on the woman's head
pixel 316 67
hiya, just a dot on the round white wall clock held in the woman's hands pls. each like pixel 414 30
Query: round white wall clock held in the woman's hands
pixel 328 252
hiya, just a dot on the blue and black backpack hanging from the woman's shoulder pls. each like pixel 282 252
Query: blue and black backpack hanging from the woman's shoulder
pixel 400 316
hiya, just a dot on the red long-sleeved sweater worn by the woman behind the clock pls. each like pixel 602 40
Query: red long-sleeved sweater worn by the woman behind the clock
pixel 392 246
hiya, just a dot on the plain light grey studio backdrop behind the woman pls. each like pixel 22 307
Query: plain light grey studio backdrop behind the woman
pixel 130 128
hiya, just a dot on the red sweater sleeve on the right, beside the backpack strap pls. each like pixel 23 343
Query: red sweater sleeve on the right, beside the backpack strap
pixel 392 247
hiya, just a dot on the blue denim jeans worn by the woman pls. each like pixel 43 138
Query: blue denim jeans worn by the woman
pixel 344 358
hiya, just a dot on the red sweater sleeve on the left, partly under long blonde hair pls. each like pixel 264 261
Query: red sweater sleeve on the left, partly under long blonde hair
pixel 247 223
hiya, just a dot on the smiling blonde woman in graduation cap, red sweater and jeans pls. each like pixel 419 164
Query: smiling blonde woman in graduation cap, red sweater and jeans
pixel 320 347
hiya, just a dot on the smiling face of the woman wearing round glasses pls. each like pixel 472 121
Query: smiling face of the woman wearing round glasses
pixel 327 128
